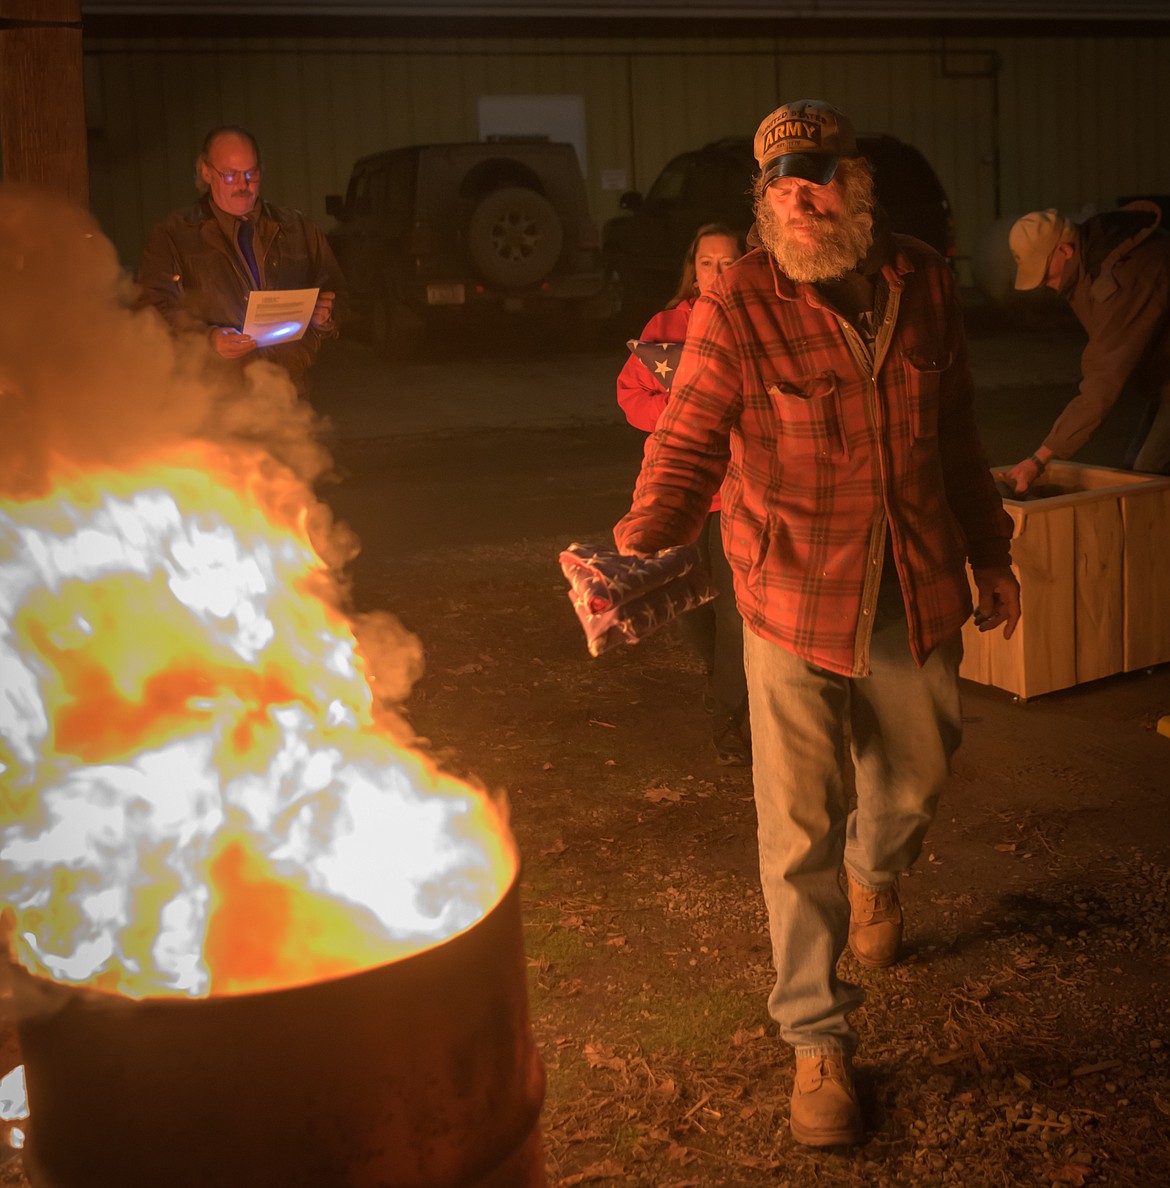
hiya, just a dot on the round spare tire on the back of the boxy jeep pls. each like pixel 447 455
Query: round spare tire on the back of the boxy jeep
pixel 515 237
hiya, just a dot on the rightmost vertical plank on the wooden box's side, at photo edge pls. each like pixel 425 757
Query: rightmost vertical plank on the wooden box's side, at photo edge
pixel 1147 579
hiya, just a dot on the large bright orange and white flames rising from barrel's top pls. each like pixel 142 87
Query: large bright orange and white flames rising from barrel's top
pixel 200 792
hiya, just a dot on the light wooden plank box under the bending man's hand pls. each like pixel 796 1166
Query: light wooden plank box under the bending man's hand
pixel 1095 572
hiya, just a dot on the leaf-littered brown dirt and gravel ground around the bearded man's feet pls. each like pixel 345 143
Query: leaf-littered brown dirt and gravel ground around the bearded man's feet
pixel 1023 1041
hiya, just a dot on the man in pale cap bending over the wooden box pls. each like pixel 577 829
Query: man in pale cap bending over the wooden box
pixel 1115 273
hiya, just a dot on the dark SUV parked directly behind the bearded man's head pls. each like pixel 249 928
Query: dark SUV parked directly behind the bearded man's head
pixel 646 247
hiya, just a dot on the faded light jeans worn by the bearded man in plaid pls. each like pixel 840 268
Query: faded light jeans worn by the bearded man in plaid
pixel 902 725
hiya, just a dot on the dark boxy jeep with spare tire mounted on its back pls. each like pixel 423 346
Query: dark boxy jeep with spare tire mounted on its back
pixel 441 232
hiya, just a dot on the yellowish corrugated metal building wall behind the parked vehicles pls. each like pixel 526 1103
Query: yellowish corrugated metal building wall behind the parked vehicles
pixel 1010 124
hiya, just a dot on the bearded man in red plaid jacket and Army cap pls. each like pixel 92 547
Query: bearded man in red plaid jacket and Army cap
pixel 824 389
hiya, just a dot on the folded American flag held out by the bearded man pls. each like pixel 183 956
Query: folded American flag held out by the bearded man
pixel 622 598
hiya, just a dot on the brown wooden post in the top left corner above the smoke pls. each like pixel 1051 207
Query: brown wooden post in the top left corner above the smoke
pixel 42 97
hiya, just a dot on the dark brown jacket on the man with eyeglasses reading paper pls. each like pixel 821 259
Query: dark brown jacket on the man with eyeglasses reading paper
pixel 197 279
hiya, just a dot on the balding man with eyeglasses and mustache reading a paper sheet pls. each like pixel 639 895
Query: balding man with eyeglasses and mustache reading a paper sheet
pixel 201 264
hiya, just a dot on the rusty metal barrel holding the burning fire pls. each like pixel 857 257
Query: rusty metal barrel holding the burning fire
pixel 422 1073
